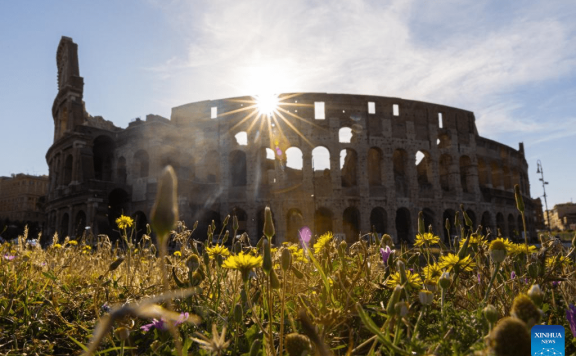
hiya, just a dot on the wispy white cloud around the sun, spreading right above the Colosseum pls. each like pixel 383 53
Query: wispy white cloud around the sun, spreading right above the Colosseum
pixel 459 55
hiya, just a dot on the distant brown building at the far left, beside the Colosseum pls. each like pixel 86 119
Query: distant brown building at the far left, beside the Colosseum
pixel 22 198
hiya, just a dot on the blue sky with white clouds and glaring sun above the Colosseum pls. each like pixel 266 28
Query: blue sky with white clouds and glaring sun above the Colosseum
pixel 512 63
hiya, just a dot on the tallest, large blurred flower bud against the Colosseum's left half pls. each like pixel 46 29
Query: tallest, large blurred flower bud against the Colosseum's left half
pixel 165 210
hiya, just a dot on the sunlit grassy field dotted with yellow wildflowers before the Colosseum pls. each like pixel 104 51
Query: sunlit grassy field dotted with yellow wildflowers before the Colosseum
pixel 232 298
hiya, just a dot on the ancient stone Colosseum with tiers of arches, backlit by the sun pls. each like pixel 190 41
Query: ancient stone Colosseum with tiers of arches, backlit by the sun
pixel 350 164
